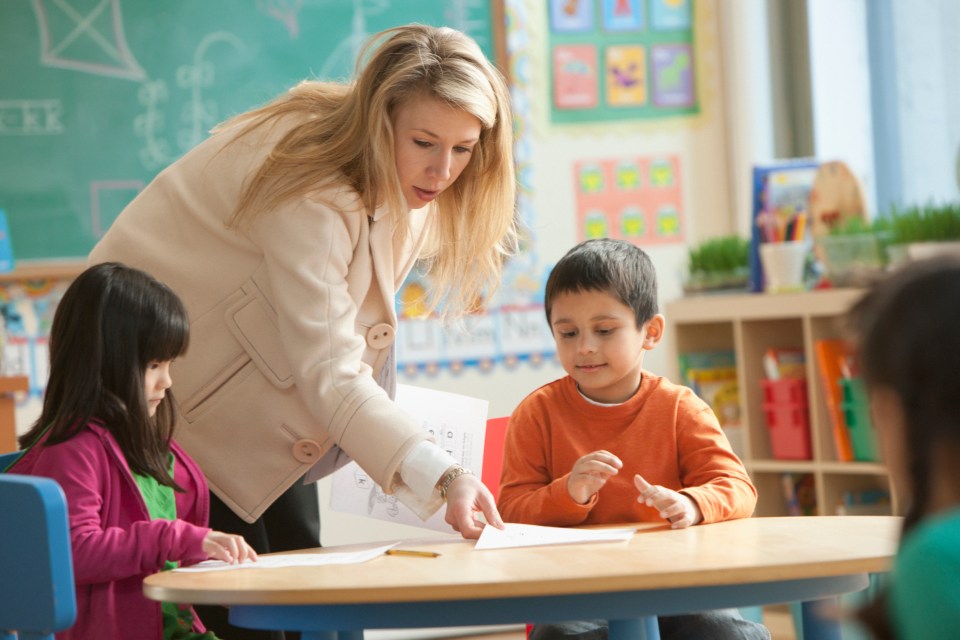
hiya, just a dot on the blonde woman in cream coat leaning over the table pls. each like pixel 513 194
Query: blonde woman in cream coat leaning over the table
pixel 287 234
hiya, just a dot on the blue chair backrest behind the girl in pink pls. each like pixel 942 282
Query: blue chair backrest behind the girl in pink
pixel 37 596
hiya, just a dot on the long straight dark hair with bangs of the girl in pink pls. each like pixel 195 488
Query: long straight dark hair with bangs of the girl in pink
pixel 111 322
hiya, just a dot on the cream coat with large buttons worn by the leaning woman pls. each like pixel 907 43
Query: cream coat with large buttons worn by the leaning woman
pixel 290 319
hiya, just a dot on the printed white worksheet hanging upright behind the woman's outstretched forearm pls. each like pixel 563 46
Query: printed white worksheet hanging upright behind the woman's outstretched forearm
pixel 456 422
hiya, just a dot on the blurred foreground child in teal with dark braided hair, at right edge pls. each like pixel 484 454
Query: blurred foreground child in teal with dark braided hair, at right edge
pixel 907 333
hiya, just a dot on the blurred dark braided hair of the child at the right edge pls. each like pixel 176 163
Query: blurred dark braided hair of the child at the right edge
pixel 907 333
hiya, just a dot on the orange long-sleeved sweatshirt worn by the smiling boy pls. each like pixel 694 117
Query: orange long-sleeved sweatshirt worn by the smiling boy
pixel 664 432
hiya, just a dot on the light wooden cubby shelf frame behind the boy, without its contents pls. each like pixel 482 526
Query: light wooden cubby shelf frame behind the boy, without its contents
pixel 749 324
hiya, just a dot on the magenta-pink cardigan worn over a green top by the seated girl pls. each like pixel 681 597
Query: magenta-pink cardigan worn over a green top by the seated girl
pixel 115 545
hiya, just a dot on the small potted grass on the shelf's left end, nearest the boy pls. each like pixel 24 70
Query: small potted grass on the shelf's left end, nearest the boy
pixel 718 264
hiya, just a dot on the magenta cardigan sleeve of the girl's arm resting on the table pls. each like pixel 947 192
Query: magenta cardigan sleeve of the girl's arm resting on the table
pixel 104 552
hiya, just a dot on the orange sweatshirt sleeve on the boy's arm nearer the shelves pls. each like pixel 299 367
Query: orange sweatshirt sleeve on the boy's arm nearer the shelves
pixel 712 474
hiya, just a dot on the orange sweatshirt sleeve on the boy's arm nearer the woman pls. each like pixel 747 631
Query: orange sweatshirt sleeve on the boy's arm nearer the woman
pixel 529 492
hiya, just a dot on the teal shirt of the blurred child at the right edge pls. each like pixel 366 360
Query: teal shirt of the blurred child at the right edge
pixel 925 585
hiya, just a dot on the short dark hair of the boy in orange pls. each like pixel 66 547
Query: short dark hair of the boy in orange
pixel 616 267
